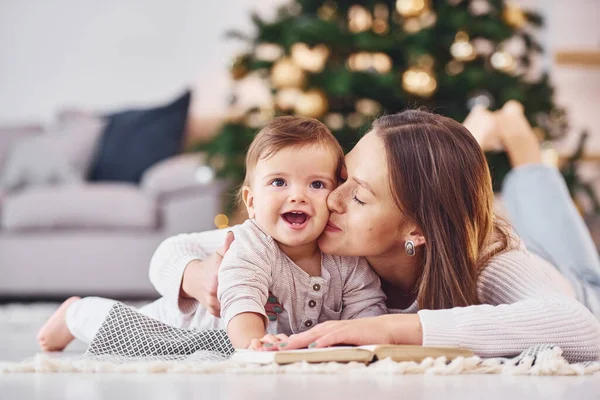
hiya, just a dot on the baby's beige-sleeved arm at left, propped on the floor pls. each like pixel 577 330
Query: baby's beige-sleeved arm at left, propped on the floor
pixel 244 281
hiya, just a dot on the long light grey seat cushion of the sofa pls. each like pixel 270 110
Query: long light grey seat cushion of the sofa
pixel 98 206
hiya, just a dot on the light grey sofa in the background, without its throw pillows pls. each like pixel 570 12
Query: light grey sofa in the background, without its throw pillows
pixel 98 238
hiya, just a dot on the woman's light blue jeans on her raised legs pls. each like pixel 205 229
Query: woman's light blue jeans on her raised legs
pixel 541 210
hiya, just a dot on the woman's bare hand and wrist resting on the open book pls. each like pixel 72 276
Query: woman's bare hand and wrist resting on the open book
pixel 385 329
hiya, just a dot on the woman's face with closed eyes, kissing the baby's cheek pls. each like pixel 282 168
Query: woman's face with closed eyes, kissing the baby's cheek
pixel 364 220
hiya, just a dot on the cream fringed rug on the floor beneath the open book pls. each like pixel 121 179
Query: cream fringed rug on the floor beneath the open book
pixel 546 362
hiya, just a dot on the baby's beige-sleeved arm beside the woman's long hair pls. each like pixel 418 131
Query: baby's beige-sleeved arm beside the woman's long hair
pixel 362 295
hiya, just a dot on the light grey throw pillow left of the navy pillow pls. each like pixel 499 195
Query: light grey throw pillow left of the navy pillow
pixel 61 155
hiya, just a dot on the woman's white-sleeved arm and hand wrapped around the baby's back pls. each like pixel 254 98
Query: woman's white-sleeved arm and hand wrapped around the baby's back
pixel 178 273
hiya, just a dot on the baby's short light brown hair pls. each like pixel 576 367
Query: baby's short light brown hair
pixel 289 131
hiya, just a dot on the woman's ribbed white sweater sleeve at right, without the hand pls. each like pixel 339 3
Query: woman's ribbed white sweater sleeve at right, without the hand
pixel 521 309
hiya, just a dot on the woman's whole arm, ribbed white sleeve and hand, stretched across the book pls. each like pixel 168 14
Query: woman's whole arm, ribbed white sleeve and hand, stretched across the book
pixel 523 310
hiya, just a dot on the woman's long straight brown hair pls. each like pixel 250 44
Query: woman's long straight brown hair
pixel 441 182
